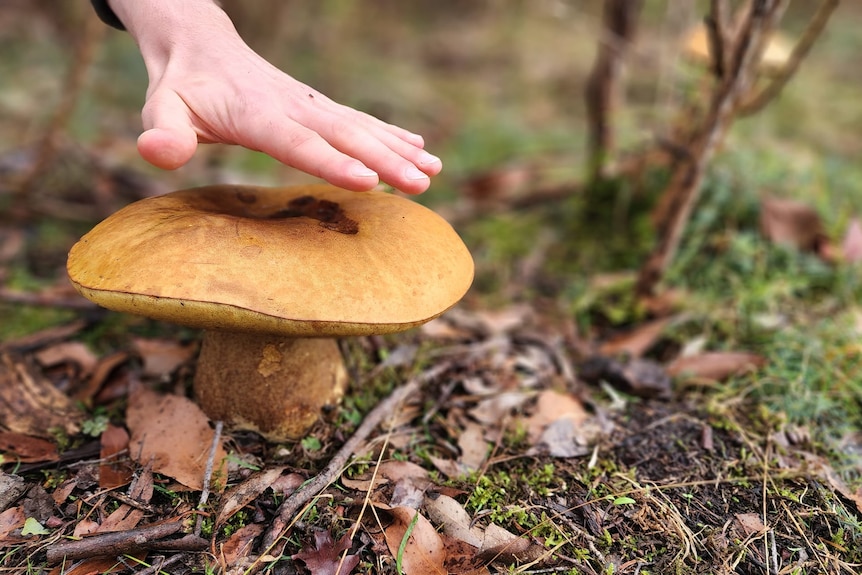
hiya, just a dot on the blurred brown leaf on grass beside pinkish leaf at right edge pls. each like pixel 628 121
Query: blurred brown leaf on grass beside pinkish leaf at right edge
pixel 791 222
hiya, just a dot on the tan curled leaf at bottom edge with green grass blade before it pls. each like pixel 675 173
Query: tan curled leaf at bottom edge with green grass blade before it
pixel 424 553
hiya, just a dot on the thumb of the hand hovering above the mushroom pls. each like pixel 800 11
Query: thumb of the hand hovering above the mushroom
pixel 169 140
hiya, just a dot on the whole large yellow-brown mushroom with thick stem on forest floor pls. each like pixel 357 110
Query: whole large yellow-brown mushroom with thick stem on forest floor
pixel 272 275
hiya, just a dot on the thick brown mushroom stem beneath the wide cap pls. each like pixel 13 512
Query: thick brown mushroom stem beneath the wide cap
pixel 270 384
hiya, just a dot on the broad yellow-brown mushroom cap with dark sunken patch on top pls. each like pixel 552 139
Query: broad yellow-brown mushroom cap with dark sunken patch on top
pixel 299 261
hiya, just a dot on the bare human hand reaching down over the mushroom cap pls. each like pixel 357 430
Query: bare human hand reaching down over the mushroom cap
pixel 207 85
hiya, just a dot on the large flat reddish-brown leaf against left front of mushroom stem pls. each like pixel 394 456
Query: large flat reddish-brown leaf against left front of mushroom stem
pixel 172 434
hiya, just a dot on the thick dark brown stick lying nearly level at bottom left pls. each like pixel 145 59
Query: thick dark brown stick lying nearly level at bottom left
pixel 125 542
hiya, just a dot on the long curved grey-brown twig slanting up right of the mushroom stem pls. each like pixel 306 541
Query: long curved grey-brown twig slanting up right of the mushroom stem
pixel 314 486
